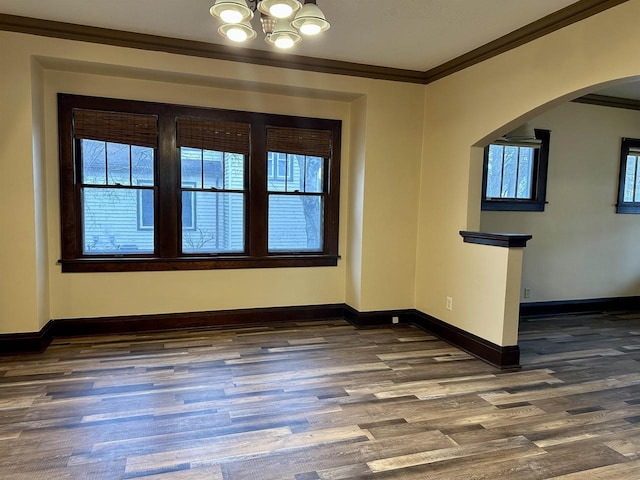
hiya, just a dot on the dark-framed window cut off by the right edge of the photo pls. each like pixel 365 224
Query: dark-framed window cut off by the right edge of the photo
pixel 629 184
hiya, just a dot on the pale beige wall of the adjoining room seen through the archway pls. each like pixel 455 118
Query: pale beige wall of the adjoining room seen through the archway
pixel 581 249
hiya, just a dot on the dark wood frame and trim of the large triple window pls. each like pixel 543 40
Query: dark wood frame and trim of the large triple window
pixel 168 254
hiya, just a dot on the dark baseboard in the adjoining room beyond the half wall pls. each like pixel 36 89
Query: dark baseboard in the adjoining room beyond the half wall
pixel 562 307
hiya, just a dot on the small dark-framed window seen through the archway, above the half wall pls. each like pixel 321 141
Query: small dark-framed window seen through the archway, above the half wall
pixel 515 174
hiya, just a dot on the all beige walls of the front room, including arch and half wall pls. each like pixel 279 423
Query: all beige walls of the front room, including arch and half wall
pixel 412 186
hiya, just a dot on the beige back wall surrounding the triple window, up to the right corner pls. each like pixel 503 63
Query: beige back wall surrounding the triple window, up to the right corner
pixel 386 116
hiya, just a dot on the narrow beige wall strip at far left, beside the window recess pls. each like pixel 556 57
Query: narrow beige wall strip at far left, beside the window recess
pixel 19 278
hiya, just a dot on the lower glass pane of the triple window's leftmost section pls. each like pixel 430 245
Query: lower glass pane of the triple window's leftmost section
pixel 110 222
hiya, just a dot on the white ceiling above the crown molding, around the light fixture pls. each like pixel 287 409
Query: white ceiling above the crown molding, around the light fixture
pixel 407 34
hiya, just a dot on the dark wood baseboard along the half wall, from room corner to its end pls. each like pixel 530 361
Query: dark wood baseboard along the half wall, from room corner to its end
pixel 501 357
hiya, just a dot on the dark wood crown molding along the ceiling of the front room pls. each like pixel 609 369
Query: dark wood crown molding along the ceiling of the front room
pixel 555 21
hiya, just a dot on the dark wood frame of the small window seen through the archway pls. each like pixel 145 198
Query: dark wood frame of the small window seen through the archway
pixel 540 169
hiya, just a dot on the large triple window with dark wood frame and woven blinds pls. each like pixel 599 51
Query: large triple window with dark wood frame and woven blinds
pixel 147 186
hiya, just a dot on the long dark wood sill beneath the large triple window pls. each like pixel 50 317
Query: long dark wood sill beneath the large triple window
pixel 133 264
